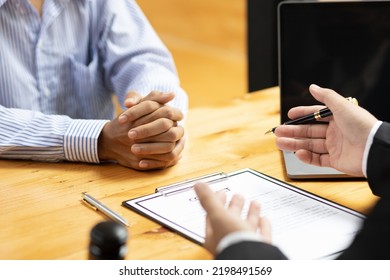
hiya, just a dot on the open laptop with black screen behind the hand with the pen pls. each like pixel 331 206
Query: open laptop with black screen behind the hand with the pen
pixel 340 45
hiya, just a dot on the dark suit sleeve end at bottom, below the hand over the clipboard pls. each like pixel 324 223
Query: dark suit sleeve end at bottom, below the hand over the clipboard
pixel 251 250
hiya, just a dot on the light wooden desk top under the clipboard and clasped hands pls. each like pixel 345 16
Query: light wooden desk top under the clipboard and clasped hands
pixel 42 216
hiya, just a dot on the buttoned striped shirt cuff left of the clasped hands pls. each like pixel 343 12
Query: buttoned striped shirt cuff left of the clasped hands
pixel 81 140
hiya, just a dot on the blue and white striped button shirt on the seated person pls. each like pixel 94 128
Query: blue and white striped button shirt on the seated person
pixel 58 73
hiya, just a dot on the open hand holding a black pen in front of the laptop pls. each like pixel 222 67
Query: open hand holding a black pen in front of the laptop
pixel 339 144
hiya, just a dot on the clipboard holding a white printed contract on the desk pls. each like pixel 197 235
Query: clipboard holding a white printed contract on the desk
pixel 304 225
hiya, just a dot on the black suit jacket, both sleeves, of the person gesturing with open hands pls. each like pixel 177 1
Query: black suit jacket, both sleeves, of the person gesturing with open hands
pixel 373 241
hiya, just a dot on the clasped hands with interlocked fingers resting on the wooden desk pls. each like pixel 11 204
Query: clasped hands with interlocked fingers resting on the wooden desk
pixel 146 135
